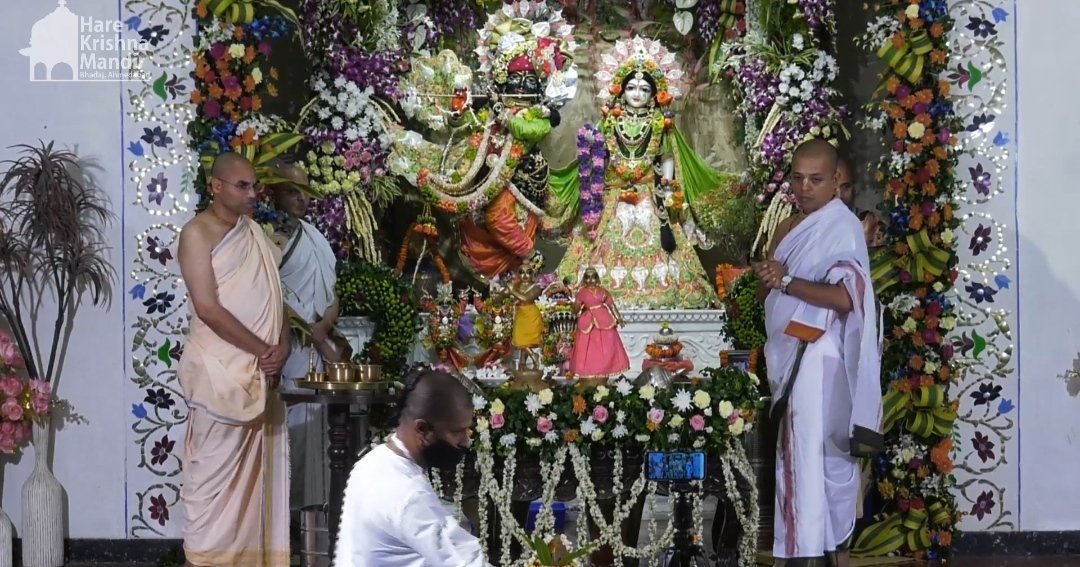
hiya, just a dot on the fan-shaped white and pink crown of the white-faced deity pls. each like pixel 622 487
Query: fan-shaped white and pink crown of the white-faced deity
pixel 640 56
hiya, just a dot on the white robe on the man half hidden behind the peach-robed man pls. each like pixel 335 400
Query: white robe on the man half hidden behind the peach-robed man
pixel 308 278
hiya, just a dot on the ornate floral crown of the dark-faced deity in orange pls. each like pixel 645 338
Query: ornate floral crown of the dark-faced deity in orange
pixel 529 36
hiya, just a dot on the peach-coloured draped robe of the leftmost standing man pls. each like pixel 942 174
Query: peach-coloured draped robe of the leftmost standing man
pixel 236 466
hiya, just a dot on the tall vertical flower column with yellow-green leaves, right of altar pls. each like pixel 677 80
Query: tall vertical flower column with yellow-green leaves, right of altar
pixel 913 276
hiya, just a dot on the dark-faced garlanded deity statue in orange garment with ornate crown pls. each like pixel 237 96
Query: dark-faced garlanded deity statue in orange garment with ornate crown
pixel 492 171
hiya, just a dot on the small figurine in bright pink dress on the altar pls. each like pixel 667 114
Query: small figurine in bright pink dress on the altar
pixel 598 347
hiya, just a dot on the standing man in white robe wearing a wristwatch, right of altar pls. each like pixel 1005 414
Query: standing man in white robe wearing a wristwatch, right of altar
pixel 823 355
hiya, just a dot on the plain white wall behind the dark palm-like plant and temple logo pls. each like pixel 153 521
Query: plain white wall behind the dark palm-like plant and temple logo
pixel 90 460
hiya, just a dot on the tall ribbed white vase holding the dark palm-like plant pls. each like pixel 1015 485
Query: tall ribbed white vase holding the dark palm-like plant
pixel 43 507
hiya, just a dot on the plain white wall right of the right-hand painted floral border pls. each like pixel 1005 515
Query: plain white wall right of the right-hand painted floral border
pixel 1049 266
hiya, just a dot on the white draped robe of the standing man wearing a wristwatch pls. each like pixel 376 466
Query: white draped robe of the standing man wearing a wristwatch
pixel 836 398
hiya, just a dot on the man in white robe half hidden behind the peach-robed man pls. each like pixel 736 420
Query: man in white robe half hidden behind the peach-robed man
pixel 308 279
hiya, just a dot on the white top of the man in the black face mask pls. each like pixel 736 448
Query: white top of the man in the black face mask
pixel 393 518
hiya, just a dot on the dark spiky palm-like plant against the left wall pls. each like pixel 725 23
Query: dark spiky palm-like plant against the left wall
pixel 52 242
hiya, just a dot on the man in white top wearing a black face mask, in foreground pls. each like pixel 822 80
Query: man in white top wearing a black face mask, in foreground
pixel 393 517
